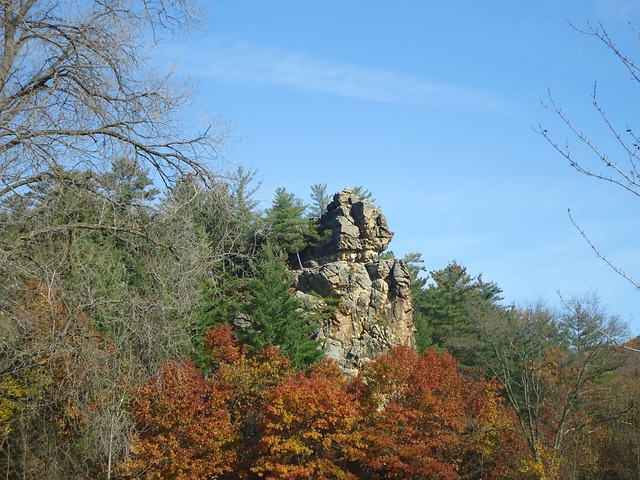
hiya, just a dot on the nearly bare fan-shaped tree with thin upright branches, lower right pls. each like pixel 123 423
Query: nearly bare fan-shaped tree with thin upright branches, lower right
pixel 549 366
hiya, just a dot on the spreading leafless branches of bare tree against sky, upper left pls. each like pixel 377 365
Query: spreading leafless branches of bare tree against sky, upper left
pixel 75 89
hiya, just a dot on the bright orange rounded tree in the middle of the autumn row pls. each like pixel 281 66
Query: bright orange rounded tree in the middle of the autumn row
pixel 310 427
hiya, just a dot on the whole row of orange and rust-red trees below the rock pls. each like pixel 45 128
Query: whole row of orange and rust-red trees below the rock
pixel 406 416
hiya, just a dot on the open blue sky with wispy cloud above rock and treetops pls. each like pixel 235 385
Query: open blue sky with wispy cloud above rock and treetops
pixel 432 106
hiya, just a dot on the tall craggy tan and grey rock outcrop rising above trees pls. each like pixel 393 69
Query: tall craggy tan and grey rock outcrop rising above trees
pixel 373 296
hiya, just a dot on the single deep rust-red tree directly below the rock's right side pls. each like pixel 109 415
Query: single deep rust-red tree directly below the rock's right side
pixel 415 414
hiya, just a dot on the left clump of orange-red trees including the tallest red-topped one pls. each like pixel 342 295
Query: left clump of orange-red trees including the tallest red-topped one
pixel 196 425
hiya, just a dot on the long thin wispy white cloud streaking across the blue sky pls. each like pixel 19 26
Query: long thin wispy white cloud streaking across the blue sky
pixel 248 64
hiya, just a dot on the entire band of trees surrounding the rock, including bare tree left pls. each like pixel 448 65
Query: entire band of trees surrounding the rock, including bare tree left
pixel 148 326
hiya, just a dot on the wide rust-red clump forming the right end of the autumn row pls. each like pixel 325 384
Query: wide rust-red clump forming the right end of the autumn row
pixel 420 415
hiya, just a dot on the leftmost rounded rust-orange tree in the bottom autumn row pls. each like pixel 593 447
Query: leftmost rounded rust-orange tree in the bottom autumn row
pixel 185 428
